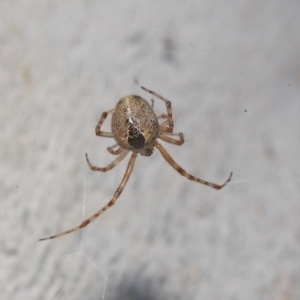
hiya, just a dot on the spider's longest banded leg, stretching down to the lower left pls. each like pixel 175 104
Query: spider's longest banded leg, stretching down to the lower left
pixel 109 204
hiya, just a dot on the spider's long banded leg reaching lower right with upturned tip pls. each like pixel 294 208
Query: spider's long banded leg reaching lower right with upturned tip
pixel 182 172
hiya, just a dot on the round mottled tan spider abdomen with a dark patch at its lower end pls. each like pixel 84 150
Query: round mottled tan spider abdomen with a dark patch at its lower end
pixel 134 124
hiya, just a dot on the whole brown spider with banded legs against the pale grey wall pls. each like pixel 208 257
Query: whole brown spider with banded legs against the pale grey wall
pixel 135 128
